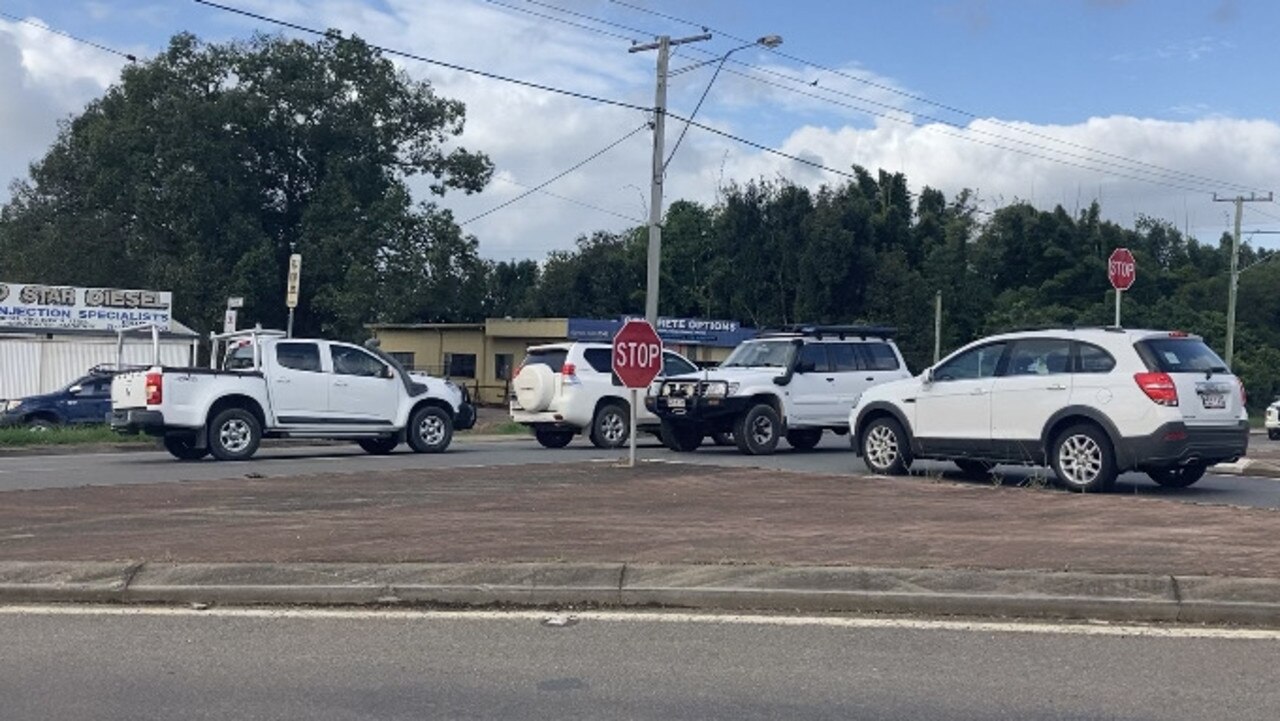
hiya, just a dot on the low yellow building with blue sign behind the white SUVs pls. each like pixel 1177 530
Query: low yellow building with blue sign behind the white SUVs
pixel 484 357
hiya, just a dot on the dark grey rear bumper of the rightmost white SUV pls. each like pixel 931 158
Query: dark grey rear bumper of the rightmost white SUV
pixel 1180 445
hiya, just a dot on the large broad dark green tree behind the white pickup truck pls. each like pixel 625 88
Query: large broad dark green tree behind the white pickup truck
pixel 203 170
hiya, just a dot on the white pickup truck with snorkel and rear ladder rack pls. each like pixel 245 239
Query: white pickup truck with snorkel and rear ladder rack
pixel 275 387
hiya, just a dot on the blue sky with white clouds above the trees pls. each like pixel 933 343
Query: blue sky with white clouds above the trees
pixel 1150 107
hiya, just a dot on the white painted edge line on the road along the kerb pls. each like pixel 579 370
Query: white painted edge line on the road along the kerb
pixel 1086 629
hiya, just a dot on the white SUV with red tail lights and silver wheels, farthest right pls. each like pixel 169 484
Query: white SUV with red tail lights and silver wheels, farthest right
pixel 1087 403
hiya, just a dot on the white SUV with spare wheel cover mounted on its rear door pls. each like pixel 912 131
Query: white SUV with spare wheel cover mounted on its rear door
pixel 565 389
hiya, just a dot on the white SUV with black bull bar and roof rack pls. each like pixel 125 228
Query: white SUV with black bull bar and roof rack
pixel 792 385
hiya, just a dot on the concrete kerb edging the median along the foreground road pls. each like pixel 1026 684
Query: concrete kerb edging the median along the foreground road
pixel 1110 597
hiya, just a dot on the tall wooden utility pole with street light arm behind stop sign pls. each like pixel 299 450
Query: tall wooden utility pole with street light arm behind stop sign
pixel 660 165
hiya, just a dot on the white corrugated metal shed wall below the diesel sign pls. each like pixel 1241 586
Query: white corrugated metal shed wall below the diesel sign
pixel 40 363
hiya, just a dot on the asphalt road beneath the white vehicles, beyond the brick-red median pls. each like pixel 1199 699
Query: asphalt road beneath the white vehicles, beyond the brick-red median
pixel 833 457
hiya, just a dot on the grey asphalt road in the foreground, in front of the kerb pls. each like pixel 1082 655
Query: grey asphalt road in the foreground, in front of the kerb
pixel 71 664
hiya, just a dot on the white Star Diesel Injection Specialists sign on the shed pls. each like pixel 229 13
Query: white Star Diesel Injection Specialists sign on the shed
pixel 60 308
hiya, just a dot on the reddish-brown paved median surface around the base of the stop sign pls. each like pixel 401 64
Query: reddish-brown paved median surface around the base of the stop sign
pixel 659 513
